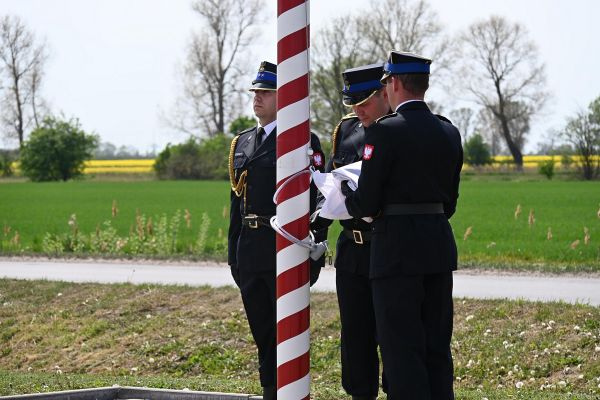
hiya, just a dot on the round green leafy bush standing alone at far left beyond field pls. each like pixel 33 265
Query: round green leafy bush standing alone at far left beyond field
pixel 57 150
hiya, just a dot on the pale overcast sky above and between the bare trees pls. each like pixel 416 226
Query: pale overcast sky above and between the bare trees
pixel 114 63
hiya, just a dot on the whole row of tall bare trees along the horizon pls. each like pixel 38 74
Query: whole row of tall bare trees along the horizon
pixel 493 62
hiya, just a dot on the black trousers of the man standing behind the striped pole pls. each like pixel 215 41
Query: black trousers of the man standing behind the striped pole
pixel 258 296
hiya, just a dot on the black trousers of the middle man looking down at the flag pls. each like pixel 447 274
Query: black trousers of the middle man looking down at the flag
pixel 360 359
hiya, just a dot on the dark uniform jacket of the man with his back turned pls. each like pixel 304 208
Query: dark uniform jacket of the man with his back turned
pixel 412 156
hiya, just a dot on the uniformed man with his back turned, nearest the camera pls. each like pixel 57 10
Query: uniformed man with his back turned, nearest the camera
pixel 409 183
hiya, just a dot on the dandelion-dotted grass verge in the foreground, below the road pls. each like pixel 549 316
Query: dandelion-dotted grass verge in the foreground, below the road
pixel 56 336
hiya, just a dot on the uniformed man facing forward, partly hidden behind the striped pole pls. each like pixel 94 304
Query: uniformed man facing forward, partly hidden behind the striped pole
pixel 252 254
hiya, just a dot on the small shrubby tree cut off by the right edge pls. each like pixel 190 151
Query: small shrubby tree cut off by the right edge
pixel 583 132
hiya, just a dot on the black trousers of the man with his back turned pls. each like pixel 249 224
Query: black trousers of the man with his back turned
pixel 414 315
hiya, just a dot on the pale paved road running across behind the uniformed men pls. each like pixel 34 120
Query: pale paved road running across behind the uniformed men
pixel 466 284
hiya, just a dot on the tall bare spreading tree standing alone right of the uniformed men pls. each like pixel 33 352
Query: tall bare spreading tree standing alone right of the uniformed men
pixel 503 74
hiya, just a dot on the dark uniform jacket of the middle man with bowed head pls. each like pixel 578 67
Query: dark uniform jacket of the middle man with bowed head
pixel 348 147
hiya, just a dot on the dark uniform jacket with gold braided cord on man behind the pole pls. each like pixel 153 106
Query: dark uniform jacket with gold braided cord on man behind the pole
pixel 254 249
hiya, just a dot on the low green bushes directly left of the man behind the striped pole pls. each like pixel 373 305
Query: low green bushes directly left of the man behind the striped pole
pixel 207 159
